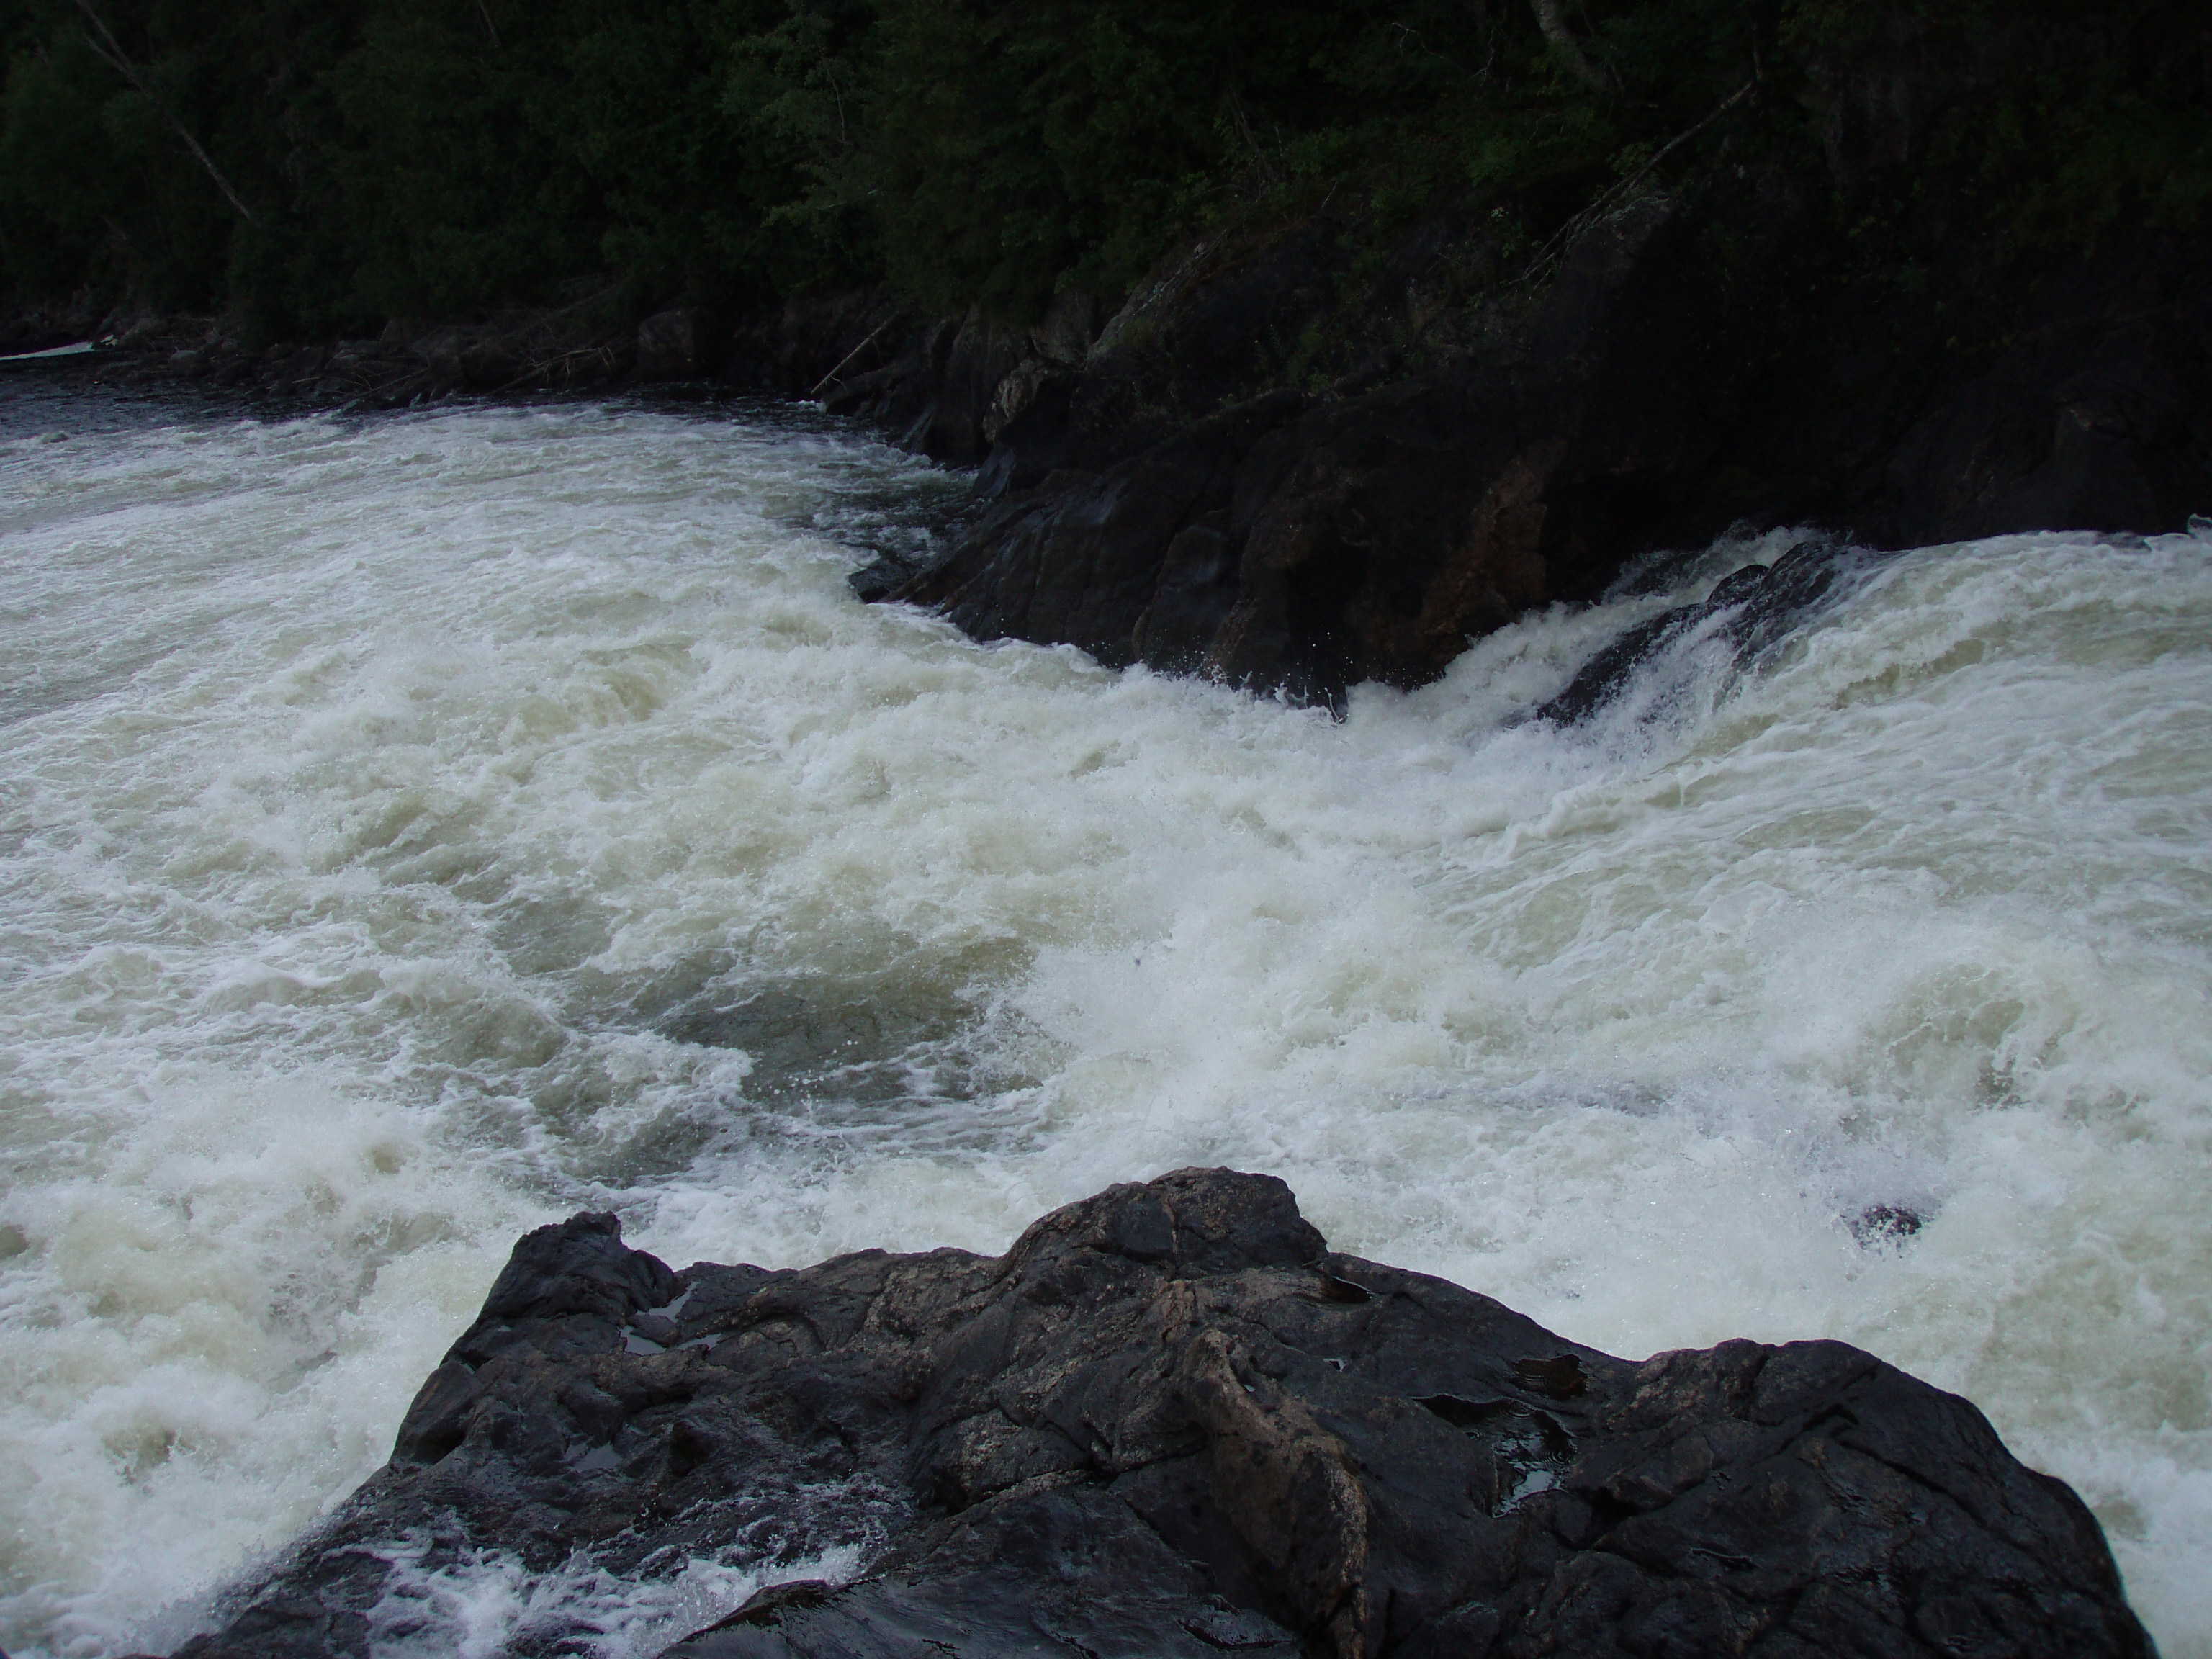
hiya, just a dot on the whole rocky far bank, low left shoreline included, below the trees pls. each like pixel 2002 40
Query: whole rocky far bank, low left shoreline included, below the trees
pixel 1293 468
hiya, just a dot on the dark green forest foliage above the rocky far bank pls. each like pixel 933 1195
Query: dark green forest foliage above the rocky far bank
pixel 320 167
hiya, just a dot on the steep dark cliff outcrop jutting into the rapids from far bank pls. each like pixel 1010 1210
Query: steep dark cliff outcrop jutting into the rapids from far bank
pixel 1317 452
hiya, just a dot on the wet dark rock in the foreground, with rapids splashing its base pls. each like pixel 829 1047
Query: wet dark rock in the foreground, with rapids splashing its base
pixel 1169 1421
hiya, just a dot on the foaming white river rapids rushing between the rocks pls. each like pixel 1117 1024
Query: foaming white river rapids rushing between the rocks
pixel 426 826
